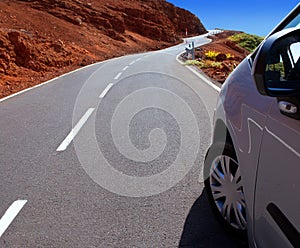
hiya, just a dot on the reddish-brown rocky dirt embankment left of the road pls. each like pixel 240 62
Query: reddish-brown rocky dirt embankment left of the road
pixel 42 39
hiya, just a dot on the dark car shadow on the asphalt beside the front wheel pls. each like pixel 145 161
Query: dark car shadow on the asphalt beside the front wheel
pixel 201 229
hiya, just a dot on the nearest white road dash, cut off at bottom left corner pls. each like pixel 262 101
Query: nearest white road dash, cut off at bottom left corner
pixel 10 215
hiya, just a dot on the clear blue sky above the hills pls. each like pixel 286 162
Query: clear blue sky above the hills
pixel 254 17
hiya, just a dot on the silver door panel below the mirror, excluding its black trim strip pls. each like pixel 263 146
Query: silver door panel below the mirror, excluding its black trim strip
pixel 278 178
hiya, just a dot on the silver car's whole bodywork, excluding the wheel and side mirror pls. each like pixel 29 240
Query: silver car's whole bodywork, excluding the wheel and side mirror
pixel 267 149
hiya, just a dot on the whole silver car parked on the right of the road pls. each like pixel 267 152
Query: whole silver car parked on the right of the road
pixel 252 169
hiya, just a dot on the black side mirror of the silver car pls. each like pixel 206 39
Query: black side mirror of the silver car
pixel 276 68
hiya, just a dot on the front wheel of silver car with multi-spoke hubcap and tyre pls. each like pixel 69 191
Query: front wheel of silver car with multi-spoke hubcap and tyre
pixel 224 188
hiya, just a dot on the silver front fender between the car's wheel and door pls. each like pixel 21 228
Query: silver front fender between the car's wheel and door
pixel 244 112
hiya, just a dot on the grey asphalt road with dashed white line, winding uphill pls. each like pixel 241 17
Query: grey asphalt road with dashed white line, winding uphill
pixel 129 172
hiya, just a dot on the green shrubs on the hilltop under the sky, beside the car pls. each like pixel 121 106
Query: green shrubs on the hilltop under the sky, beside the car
pixel 247 41
